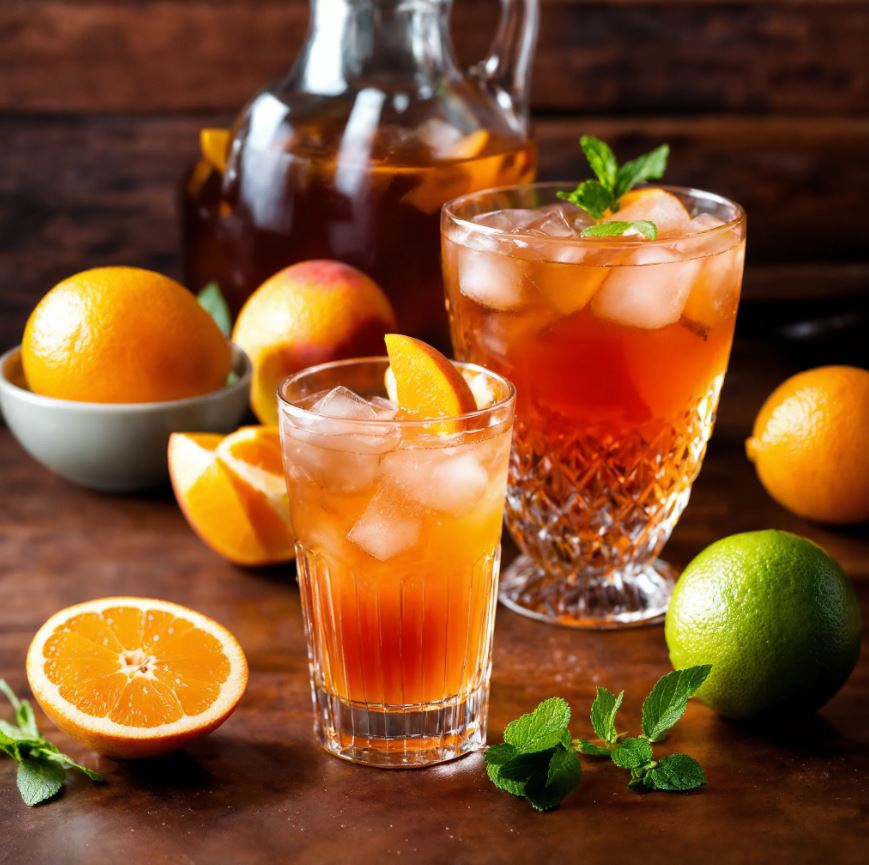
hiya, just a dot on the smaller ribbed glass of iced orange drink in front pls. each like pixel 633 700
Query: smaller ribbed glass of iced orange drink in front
pixel 398 526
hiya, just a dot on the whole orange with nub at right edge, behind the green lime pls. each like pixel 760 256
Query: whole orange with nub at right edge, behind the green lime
pixel 809 444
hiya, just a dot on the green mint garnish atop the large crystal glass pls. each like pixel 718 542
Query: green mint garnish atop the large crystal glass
pixel 597 197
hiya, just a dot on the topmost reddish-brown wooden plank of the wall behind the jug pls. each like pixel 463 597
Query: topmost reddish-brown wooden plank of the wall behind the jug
pixel 619 56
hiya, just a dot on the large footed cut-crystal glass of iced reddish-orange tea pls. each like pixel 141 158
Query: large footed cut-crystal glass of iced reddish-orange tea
pixel 617 347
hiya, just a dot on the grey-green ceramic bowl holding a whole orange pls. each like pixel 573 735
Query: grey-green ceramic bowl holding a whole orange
pixel 116 447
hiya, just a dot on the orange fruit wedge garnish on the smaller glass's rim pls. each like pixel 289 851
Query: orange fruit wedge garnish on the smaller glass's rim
pixel 427 385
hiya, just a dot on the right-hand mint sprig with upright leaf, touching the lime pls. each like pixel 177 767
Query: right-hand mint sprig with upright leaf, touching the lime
pixel 662 709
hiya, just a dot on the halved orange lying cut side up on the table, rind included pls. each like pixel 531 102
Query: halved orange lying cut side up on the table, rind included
pixel 135 677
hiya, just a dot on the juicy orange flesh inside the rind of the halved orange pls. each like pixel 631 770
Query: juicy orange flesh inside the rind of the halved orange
pixel 140 668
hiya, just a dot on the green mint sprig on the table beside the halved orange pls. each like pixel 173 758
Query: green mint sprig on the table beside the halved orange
pixel 41 765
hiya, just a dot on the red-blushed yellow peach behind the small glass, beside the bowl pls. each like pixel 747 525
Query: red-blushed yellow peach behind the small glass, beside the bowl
pixel 308 313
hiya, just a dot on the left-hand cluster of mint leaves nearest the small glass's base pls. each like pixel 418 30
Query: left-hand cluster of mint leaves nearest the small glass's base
pixel 536 761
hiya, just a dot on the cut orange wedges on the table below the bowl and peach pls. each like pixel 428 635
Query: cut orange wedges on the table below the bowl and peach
pixel 233 493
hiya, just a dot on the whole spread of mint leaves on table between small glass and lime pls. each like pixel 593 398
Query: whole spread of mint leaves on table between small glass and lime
pixel 536 760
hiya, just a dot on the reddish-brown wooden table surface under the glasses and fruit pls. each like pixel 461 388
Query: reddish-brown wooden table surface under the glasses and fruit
pixel 259 790
